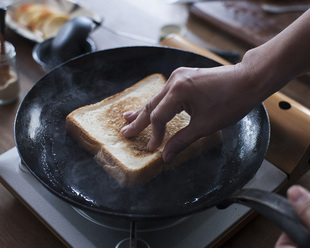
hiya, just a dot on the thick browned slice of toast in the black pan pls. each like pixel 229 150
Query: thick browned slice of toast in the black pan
pixel 97 128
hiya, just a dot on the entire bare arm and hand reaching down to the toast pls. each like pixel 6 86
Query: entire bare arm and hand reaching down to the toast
pixel 217 97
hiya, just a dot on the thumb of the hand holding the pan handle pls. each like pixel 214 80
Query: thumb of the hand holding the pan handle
pixel 299 197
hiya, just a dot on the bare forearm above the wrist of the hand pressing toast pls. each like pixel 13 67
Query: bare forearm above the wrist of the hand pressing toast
pixel 273 64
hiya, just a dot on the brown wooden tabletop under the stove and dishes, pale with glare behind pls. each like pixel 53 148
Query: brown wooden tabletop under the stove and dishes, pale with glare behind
pixel 18 226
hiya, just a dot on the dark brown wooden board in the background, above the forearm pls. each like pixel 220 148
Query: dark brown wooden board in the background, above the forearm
pixel 245 20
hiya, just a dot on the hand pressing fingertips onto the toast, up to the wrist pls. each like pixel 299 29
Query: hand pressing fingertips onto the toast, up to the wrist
pixel 213 97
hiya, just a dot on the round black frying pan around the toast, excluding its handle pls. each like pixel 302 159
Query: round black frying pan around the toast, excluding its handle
pixel 63 166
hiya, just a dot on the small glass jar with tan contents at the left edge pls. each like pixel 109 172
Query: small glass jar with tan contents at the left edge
pixel 9 79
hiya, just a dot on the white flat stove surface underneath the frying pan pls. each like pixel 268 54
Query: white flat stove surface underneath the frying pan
pixel 198 231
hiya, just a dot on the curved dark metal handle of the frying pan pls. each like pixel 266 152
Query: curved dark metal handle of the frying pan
pixel 274 207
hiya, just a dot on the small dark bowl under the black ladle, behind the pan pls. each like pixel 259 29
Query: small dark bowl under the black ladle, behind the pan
pixel 42 54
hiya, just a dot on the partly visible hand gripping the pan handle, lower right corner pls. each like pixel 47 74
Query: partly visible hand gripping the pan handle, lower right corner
pixel 299 198
